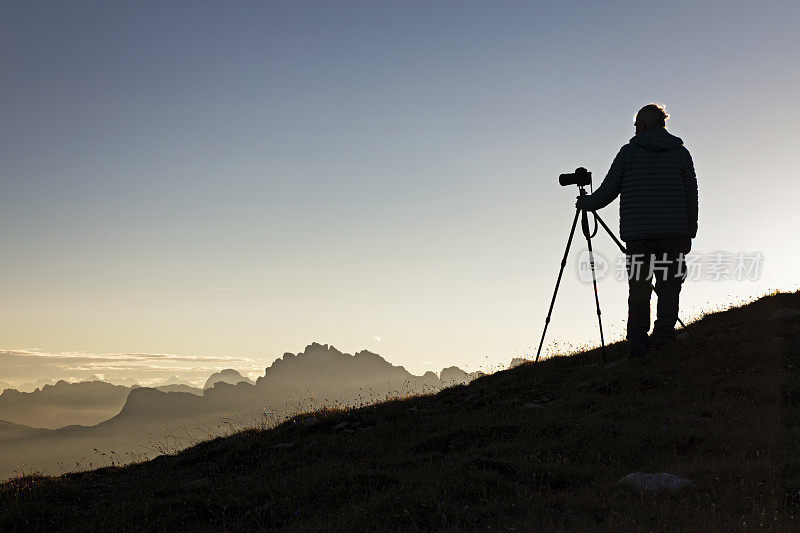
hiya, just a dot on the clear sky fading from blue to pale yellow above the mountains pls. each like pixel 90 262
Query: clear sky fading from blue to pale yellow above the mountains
pixel 241 179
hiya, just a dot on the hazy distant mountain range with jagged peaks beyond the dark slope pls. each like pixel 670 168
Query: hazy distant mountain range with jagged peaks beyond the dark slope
pixel 146 421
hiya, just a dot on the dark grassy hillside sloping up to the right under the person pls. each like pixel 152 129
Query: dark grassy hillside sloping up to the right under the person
pixel 721 409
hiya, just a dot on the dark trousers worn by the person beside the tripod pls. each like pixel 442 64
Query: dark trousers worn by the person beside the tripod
pixel 663 259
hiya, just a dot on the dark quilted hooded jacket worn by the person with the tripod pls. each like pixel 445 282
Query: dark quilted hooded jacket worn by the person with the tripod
pixel 654 176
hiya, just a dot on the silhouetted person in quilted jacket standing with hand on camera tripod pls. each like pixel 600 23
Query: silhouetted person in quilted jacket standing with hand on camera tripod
pixel 654 176
